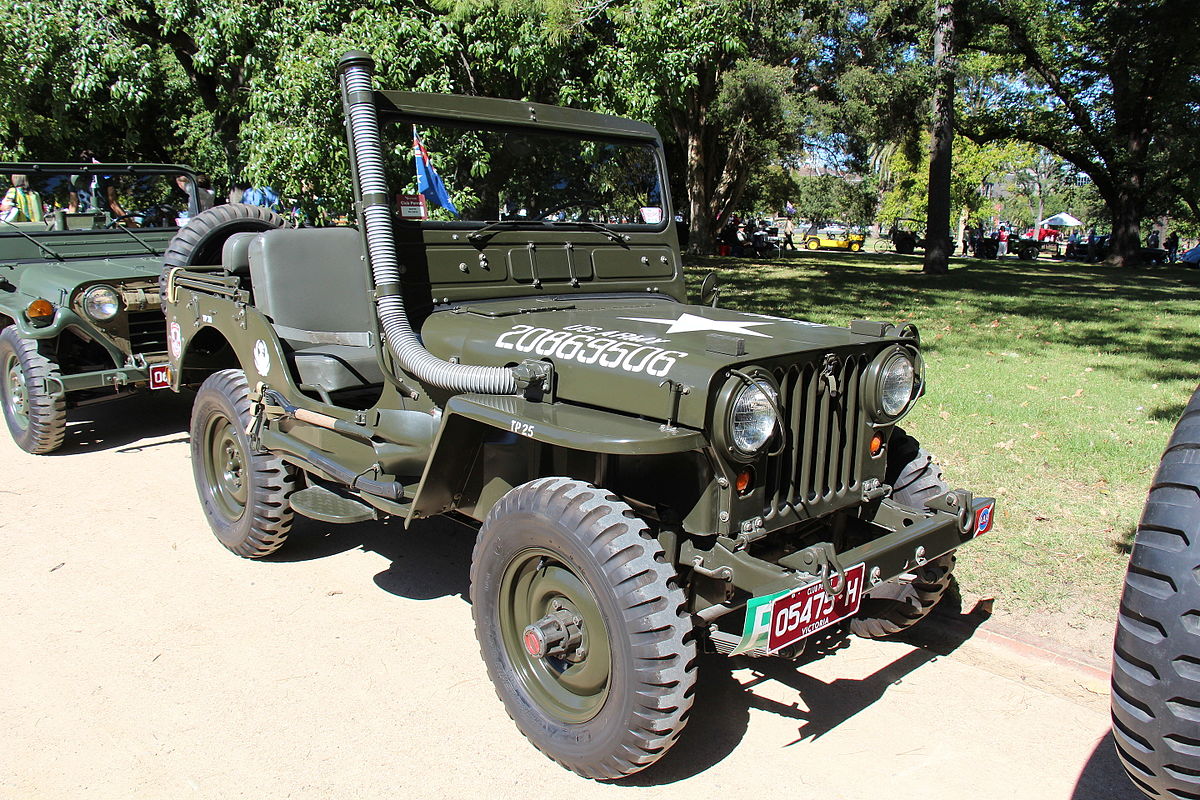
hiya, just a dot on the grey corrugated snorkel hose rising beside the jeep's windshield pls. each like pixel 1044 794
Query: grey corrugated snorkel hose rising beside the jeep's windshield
pixel 367 161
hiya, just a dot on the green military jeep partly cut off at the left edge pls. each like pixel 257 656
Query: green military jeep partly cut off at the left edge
pixel 80 290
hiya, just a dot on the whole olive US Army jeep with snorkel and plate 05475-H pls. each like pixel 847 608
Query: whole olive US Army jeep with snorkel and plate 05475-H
pixel 649 478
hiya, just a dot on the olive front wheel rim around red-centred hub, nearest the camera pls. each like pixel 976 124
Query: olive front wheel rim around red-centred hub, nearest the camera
pixel 537 582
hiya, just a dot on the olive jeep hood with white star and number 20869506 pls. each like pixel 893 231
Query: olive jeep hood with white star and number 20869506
pixel 620 353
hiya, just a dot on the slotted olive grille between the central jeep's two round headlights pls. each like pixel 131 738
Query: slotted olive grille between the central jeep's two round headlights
pixel 820 467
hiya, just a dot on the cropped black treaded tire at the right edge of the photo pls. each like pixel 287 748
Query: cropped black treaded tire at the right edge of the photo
pixel 1156 657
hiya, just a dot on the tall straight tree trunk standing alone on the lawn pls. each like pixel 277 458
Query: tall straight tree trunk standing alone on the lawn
pixel 938 224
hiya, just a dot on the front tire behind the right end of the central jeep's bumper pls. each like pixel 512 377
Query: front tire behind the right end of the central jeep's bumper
pixel 901 604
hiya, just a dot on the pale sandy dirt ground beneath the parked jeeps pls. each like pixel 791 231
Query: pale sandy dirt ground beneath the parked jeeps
pixel 142 660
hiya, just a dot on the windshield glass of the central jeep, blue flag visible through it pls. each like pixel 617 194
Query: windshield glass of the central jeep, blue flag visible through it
pixel 523 178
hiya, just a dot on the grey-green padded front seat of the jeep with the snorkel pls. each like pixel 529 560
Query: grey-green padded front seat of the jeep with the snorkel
pixel 311 284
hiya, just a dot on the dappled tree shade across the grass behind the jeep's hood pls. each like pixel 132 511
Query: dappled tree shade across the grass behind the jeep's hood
pixel 1085 306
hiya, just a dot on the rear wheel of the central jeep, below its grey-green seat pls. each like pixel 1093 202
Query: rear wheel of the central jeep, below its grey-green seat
pixel 245 495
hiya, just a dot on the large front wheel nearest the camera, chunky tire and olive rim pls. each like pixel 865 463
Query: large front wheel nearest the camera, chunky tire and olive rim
pixel 619 703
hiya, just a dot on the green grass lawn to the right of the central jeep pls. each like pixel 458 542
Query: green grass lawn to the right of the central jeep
pixel 1052 386
